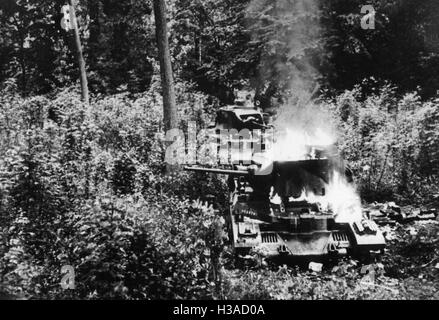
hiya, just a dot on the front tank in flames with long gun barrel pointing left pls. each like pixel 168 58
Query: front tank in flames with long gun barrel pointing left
pixel 294 225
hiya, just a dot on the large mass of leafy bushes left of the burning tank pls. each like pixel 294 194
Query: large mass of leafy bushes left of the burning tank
pixel 83 186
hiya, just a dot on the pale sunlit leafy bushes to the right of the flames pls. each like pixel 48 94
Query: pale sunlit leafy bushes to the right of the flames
pixel 391 143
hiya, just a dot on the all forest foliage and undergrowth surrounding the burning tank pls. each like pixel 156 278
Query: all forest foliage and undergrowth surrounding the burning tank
pixel 85 185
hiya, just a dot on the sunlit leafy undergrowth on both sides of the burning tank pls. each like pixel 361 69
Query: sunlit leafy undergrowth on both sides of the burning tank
pixel 83 186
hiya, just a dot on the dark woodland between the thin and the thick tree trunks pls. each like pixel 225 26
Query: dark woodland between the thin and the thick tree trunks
pixel 121 45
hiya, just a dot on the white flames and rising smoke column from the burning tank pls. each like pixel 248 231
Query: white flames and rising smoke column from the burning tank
pixel 300 121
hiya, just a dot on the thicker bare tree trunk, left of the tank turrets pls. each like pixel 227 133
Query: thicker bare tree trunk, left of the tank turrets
pixel 169 105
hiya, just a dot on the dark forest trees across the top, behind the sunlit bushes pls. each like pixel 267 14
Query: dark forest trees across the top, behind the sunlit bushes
pixel 221 44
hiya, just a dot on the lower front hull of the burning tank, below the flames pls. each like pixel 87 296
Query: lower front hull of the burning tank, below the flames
pixel 300 235
